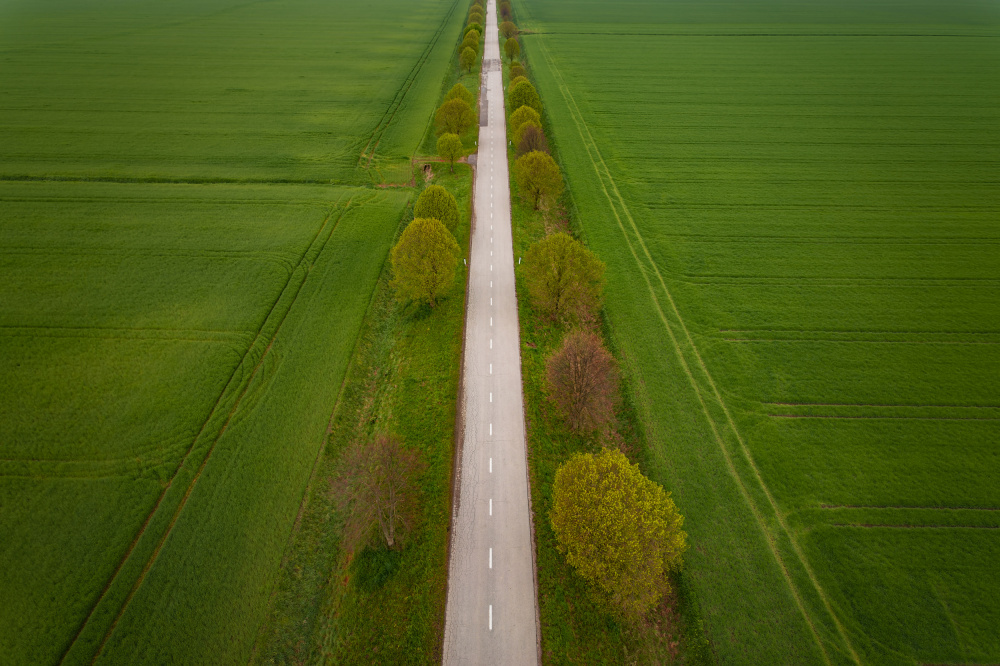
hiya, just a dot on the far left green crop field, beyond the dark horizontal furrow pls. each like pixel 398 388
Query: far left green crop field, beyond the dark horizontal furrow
pixel 217 90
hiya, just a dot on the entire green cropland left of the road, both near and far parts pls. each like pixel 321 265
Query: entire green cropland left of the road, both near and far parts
pixel 189 240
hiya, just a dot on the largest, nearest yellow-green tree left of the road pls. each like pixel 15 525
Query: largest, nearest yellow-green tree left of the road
pixel 424 261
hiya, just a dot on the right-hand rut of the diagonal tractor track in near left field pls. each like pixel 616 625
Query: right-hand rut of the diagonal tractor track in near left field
pixel 229 417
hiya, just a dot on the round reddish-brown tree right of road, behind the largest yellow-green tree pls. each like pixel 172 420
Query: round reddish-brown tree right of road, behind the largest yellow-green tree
pixel 582 381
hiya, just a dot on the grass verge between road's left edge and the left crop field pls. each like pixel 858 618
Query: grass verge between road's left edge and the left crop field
pixel 403 379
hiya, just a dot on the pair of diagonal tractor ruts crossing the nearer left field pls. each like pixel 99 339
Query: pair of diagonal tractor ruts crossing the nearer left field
pixel 245 381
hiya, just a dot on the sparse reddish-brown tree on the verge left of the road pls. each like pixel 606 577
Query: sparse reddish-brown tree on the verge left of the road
pixel 378 492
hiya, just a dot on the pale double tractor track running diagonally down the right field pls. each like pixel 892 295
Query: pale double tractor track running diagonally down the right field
pixel 591 147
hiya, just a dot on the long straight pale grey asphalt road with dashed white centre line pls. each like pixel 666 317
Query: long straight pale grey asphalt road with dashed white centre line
pixel 491 615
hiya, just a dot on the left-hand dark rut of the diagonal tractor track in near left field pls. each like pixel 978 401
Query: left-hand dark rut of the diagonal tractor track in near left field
pixel 212 412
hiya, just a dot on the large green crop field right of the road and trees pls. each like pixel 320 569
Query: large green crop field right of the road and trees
pixel 798 205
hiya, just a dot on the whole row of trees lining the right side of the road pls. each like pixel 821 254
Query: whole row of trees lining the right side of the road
pixel 619 530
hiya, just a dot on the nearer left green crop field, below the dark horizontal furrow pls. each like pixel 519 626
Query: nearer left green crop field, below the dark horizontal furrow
pixel 105 403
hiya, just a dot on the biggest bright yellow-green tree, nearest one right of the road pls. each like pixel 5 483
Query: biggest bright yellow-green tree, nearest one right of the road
pixel 620 531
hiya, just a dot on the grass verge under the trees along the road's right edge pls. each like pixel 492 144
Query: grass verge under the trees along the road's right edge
pixel 575 628
